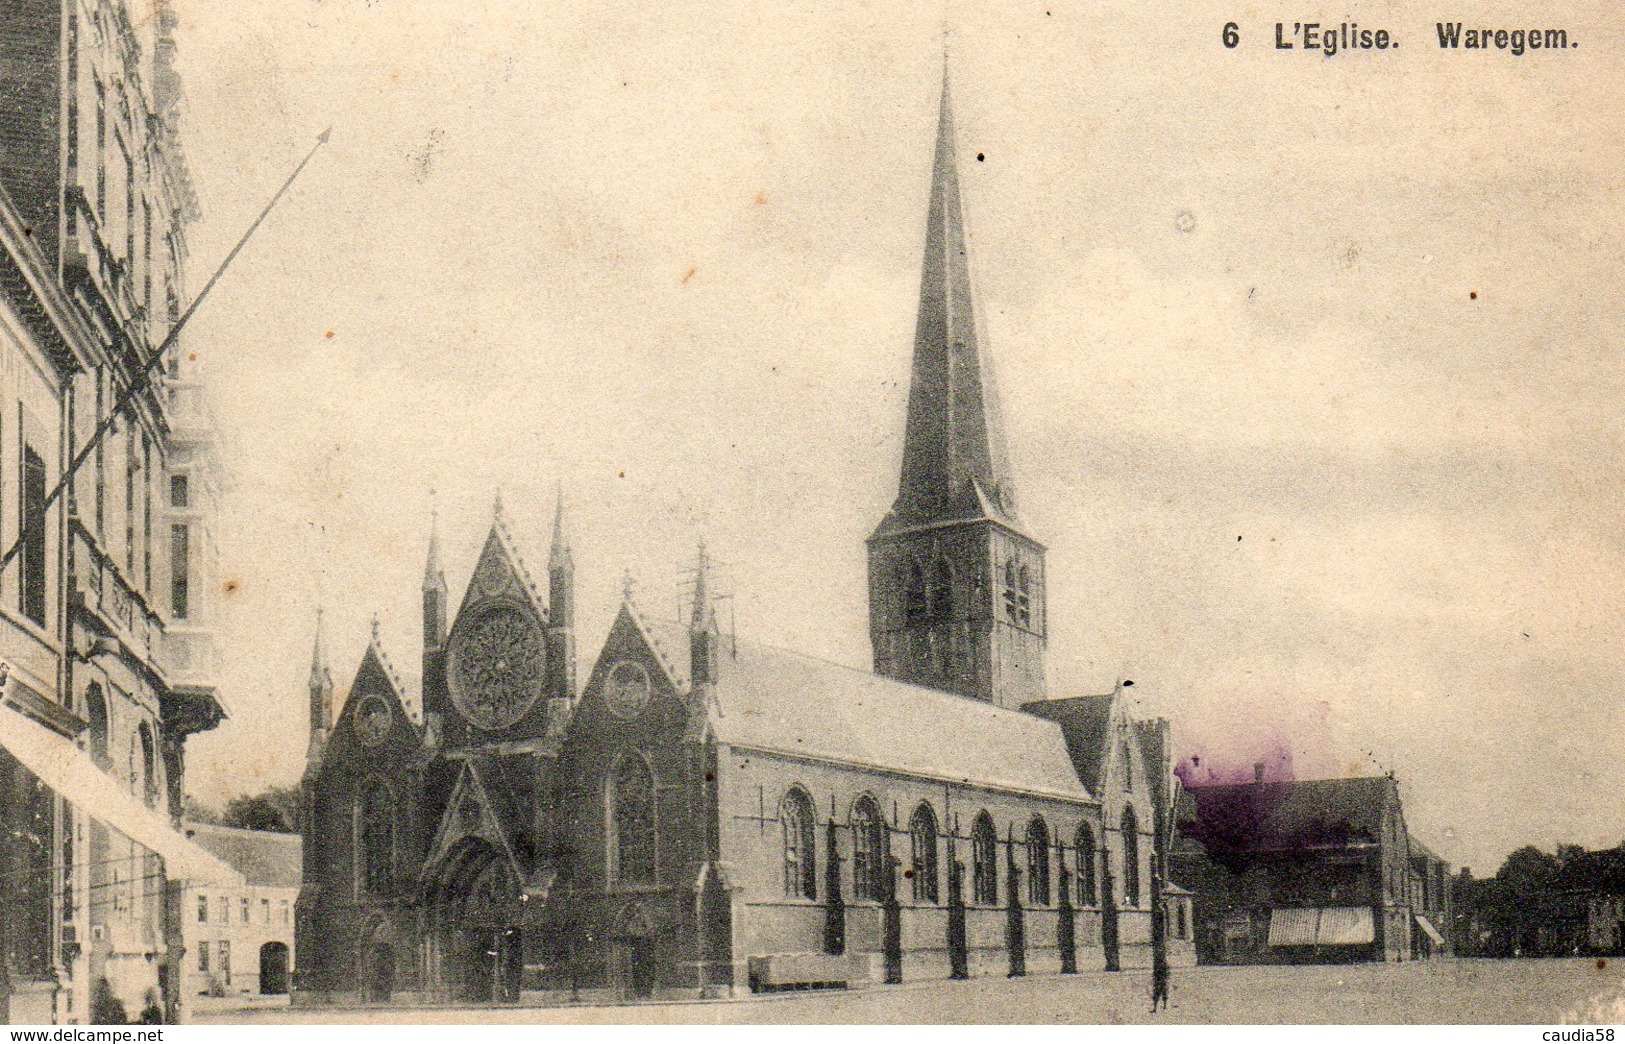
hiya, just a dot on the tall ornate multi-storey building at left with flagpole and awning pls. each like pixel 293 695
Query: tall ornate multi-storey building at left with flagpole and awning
pixel 105 638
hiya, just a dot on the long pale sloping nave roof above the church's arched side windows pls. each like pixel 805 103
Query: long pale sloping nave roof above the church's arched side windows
pixel 789 703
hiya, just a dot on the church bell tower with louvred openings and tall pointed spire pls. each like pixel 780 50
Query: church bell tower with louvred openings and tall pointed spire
pixel 956 586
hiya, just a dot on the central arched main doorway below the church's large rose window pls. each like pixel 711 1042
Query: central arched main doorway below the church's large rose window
pixel 477 926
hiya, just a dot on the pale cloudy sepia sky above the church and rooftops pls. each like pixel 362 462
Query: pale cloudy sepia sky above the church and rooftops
pixel 1296 482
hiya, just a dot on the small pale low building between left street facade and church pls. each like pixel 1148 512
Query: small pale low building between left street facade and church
pixel 241 941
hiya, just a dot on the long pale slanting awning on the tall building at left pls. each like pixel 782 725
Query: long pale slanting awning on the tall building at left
pixel 61 765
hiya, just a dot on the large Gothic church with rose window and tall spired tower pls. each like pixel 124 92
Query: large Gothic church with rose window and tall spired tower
pixel 698 816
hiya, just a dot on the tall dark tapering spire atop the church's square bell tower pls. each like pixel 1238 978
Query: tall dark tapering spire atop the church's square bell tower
pixel 955 464
